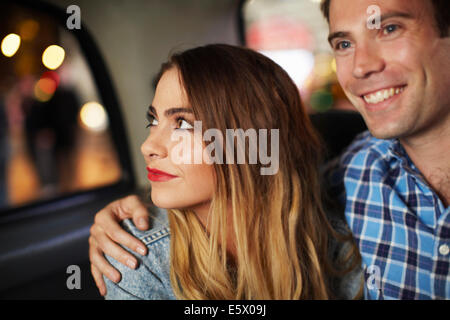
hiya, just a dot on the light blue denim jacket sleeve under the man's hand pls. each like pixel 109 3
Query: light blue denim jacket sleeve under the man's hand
pixel 151 279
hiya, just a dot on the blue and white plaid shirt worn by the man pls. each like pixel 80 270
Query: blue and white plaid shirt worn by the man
pixel 401 226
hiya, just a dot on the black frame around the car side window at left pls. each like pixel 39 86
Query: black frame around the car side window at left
pixel 118 132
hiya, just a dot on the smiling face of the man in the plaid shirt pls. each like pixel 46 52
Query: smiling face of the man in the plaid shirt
pixel 397 76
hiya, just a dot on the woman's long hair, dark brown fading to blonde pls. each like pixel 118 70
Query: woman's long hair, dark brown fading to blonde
pixel 280 229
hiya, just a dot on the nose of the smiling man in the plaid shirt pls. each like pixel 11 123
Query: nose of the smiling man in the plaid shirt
pixel 367 61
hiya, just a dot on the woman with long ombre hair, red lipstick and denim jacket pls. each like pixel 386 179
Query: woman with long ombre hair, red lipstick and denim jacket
pixel 235 233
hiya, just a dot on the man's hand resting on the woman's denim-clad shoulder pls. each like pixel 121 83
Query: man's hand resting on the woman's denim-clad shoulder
pixel 107 234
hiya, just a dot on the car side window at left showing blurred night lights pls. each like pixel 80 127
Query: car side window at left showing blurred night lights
pixel 55 131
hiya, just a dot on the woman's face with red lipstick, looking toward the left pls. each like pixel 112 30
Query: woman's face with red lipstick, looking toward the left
pixel 174 185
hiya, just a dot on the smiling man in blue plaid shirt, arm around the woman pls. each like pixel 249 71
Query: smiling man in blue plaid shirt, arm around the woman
pixel 397 177
